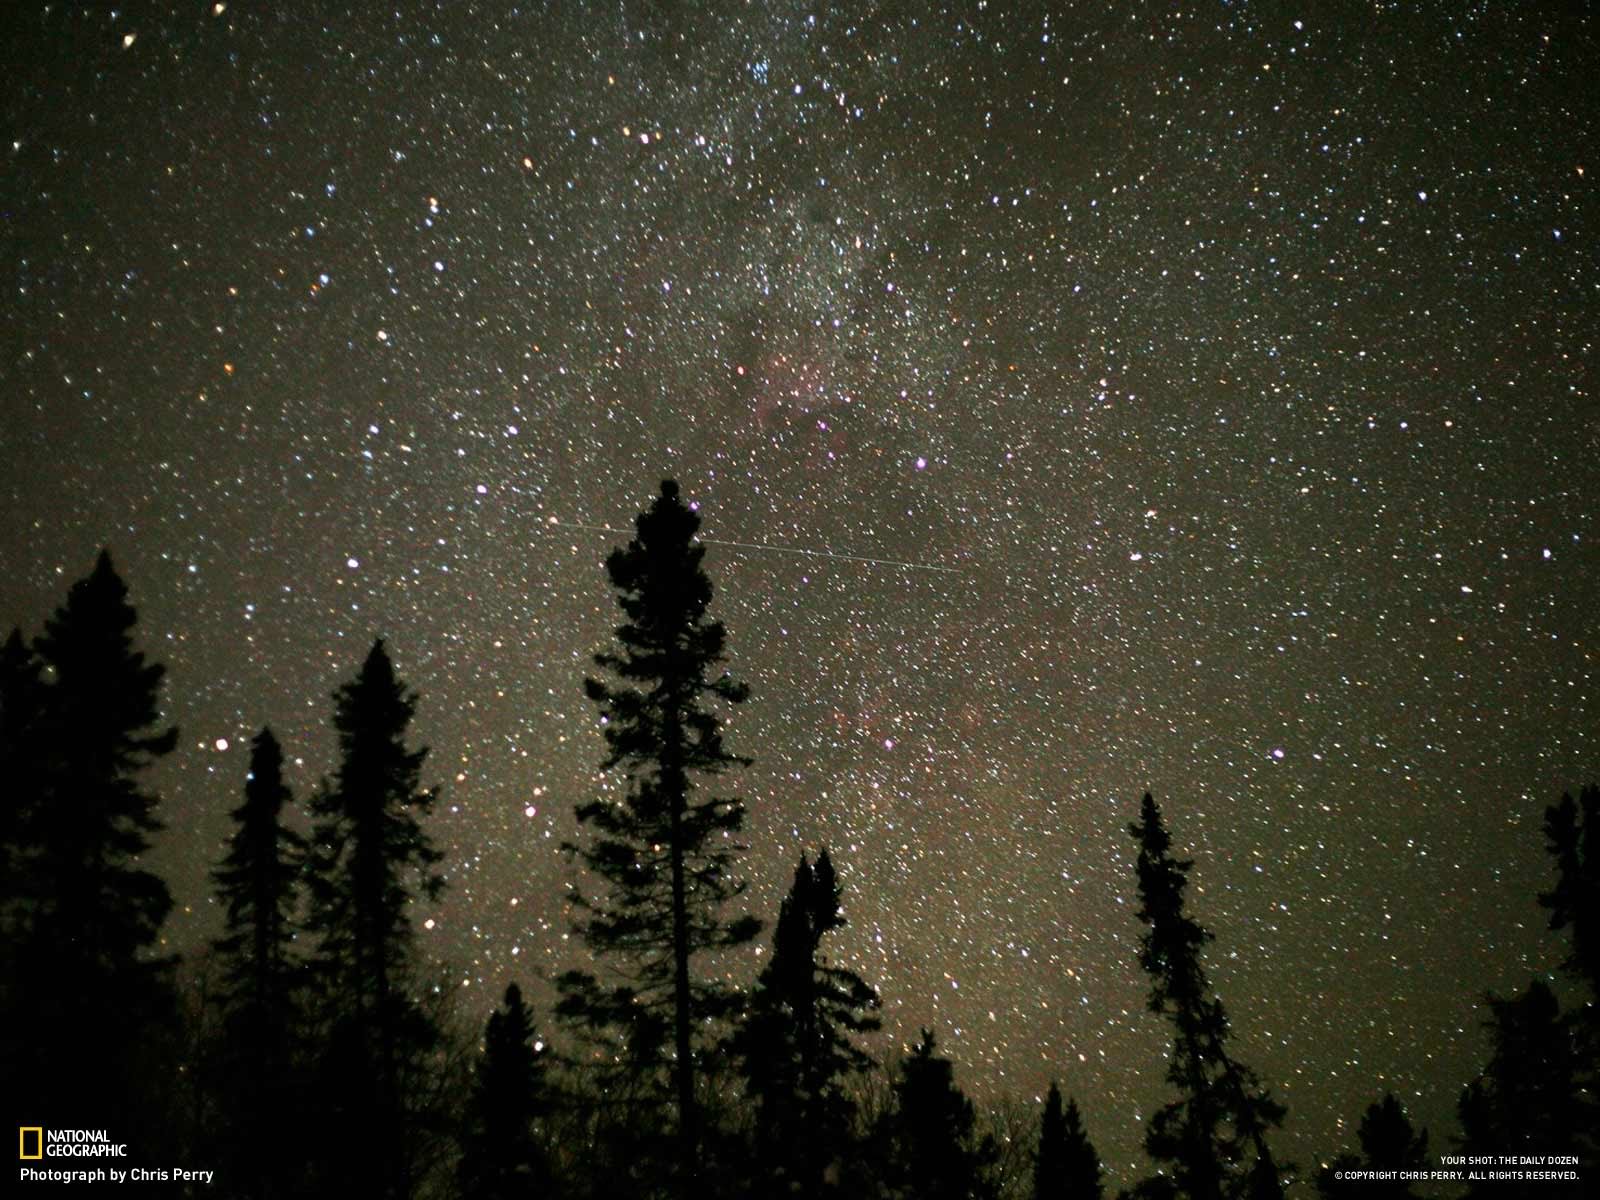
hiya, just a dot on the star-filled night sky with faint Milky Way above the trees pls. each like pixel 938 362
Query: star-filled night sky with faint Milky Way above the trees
pixel 1079 399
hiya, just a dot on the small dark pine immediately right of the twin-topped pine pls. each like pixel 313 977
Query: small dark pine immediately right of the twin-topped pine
pixel 935 1153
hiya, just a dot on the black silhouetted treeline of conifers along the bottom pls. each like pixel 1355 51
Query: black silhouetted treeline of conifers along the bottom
pixel 311 1052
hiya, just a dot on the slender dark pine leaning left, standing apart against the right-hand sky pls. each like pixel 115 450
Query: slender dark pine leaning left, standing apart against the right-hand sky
pixel 1215 1134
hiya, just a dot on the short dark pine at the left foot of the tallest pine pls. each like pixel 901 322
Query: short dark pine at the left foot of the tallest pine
pixel 502 1153
